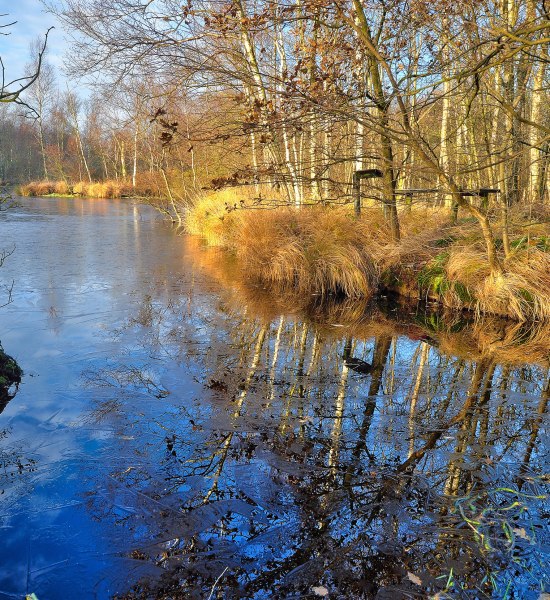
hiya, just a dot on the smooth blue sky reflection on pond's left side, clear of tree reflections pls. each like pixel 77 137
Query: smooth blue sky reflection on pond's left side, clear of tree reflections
pixel 76 276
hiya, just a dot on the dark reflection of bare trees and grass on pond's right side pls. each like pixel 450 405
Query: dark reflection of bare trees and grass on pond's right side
pixel 338 448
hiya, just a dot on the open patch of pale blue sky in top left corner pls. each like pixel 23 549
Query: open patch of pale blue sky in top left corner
pixel 32 21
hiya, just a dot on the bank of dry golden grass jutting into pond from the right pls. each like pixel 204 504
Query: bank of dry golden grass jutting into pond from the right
pixel 322 250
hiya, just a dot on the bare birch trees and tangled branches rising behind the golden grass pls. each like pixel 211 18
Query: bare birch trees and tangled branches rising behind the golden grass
pixel 438 96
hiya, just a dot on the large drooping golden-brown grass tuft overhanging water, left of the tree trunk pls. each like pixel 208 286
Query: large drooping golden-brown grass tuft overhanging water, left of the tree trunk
pixel 312 250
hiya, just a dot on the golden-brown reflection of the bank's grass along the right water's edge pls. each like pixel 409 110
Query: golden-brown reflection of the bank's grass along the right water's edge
pixel 462 335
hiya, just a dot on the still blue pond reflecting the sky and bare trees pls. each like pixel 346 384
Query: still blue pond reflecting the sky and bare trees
pixel 180 432
